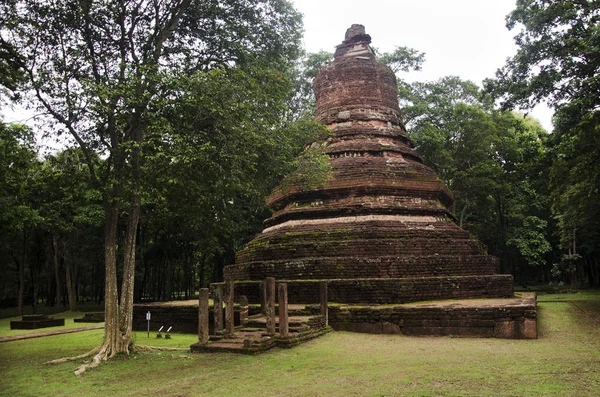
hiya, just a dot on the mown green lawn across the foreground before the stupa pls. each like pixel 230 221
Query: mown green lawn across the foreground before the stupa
pixel 564 361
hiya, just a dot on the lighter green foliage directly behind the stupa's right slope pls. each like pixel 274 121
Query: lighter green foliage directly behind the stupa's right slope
pixel 492 161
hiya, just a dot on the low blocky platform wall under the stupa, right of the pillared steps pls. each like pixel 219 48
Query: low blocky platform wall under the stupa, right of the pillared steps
pixel 480 319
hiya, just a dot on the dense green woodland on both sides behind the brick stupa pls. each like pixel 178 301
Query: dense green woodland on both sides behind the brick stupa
pixel 178 119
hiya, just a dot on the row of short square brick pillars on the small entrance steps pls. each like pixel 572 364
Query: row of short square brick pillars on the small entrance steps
pixel 225 294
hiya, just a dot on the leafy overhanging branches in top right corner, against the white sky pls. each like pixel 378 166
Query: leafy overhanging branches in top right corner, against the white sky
pixel 556 59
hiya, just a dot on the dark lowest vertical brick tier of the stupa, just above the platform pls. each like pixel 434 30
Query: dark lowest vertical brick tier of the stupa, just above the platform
pixel 385 291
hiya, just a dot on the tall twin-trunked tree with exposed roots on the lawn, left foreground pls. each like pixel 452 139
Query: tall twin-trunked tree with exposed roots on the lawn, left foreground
pixel 98 69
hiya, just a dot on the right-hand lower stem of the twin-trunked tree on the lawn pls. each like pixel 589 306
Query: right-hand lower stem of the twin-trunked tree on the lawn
pixel 127 286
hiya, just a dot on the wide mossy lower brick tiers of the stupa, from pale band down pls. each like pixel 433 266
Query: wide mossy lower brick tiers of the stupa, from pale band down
pixel 380 259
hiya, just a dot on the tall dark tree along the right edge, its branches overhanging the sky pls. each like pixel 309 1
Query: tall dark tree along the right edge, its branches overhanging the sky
pixel 557 61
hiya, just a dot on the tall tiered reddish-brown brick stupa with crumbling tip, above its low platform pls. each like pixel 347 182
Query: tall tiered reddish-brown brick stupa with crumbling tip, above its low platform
pixel 380 230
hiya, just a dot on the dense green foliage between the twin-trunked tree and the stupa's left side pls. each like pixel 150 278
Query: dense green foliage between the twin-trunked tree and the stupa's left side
pixel 223 143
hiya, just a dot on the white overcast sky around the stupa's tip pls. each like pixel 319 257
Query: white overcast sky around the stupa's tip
pixel 466 38
